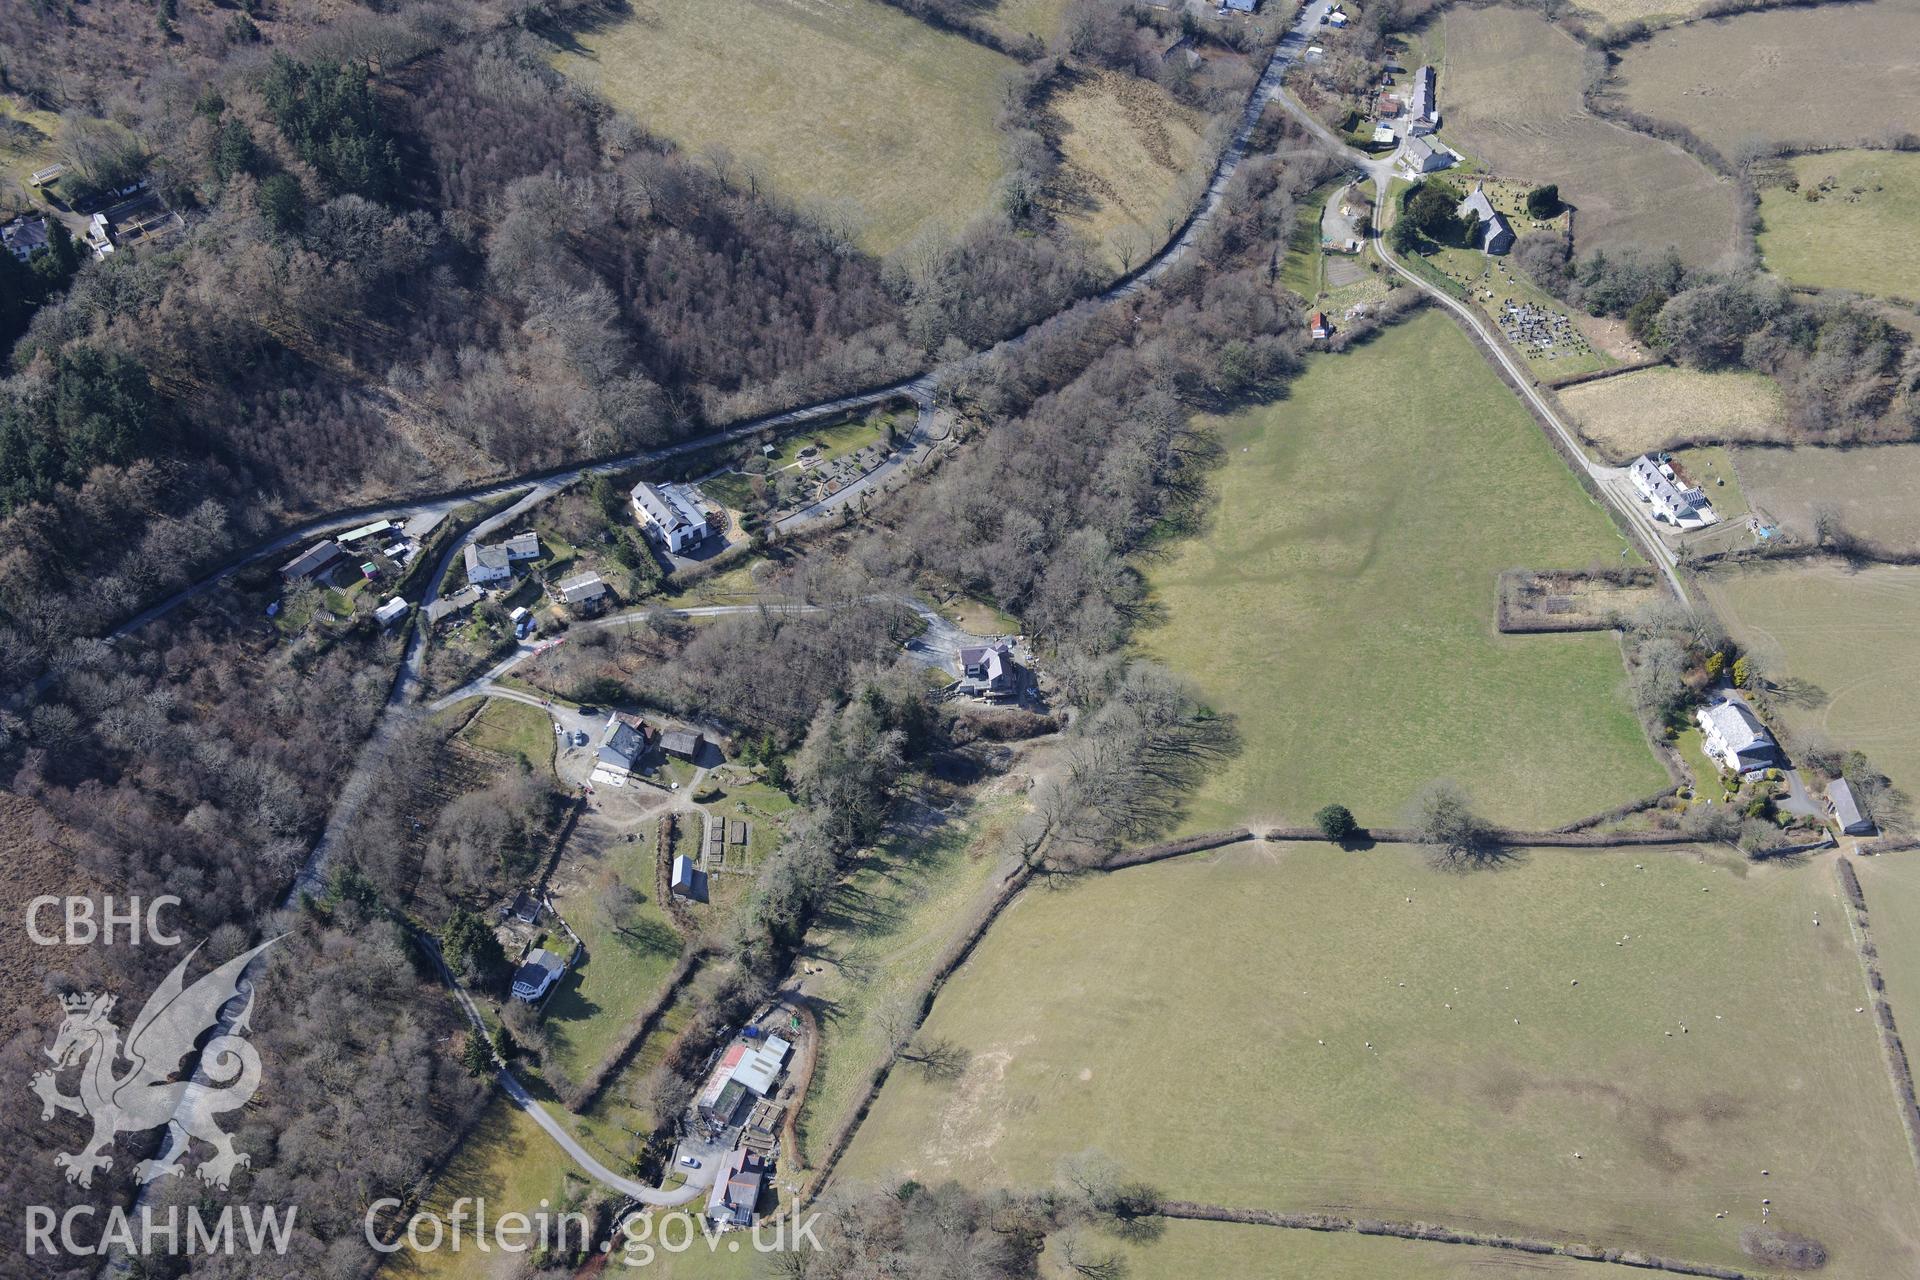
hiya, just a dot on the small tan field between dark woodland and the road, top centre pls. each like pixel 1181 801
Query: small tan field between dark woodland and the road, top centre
pixel 1132 154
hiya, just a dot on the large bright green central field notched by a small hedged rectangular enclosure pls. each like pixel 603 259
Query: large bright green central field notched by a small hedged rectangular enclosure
pixel 1341 602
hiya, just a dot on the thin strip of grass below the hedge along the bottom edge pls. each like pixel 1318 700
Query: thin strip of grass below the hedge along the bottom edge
pixel 1186 1250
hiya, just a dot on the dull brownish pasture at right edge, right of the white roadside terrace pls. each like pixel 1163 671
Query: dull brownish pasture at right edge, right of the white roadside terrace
pixel 1877 490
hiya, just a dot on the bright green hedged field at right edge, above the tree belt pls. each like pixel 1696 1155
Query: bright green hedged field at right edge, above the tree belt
pixel 1863 229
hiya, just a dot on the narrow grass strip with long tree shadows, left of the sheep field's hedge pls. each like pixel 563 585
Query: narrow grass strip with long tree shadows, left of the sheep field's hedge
pixel 880 937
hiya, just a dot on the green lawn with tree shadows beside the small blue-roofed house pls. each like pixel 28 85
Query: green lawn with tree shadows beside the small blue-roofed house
pixel 625 962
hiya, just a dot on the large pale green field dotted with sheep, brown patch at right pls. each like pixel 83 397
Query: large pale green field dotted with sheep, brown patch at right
pixel 1566 1047
